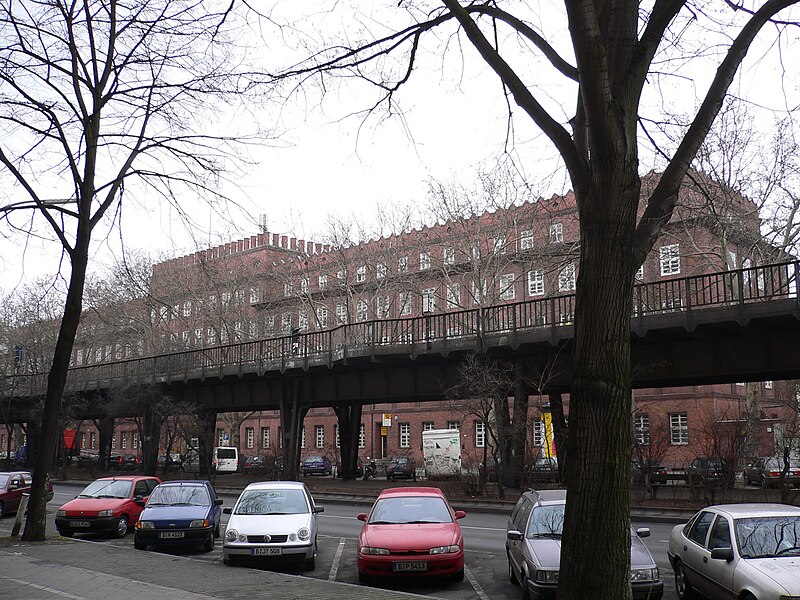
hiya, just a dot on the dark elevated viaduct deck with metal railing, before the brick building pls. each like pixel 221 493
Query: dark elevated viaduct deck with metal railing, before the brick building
pixel 729 326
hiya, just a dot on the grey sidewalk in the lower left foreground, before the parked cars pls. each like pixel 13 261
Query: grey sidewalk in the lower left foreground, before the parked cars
pixel 84 570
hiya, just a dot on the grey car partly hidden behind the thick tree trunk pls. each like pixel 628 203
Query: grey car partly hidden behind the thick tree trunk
pixel 533 548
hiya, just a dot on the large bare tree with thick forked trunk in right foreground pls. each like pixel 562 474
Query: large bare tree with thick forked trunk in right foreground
pixel 618 52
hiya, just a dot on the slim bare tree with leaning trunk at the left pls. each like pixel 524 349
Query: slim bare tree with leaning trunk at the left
pixel 98 96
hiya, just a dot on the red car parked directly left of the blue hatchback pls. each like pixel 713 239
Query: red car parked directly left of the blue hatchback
pixel 107 505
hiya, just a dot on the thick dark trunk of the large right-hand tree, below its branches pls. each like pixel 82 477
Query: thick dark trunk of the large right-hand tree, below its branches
pixel 597 517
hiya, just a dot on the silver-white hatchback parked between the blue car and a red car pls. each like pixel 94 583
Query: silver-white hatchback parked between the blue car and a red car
pixel 272 520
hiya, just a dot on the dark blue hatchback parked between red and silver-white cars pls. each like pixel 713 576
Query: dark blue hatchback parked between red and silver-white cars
pixel 180 513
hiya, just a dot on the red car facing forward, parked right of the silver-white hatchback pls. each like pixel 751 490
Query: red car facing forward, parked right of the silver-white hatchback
pixel 411 531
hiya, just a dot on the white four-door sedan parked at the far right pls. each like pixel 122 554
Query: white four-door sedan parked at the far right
pixel 738 551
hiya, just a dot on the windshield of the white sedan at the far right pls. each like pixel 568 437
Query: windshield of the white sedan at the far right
pixel 764 537
